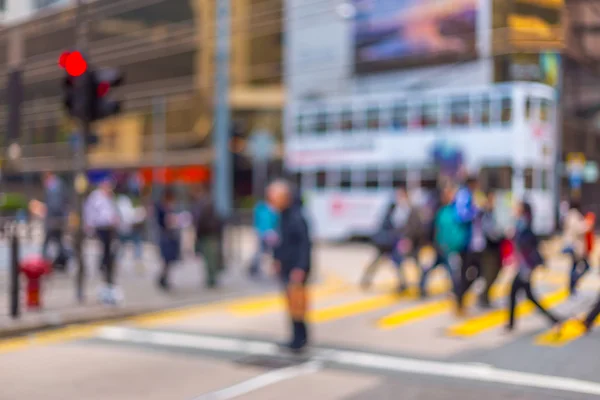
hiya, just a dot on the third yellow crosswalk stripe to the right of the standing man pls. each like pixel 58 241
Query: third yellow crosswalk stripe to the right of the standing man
pixel 494 319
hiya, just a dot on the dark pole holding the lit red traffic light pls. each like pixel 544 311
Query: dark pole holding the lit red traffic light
pixel 81 26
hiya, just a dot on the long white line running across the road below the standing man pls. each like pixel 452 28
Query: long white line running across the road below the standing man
pixel 482 373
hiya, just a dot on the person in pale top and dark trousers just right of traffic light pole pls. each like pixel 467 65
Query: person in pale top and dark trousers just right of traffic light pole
pixel 101 217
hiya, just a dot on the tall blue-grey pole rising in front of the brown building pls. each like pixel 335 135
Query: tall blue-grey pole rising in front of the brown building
pixel 222 164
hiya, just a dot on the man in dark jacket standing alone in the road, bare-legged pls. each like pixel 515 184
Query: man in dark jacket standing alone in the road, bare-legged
pixel 292 256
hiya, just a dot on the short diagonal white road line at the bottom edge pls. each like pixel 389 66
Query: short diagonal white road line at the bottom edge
pixel 261 381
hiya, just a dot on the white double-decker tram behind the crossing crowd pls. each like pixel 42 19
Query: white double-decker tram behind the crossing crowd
pixel 349 153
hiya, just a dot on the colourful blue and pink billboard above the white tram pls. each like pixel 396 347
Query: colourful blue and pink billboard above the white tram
pixel 391 34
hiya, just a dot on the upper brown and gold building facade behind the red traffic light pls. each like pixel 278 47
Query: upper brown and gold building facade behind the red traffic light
pixel 166 50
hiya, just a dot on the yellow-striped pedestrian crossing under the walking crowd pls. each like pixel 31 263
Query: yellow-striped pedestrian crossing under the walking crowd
pixel 339 305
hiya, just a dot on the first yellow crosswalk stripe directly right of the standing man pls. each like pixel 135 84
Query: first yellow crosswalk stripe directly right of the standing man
pixel 370 304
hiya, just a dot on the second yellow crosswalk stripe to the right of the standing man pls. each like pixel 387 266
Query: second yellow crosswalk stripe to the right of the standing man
pixel 428 309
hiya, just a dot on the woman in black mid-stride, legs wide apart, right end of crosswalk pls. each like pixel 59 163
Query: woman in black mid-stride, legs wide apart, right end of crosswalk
pixel 528 258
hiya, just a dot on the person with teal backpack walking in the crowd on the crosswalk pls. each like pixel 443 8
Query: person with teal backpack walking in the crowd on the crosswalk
pixel 448 238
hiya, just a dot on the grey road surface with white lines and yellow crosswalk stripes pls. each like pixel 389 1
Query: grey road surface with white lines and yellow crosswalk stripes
pixel 366 345
